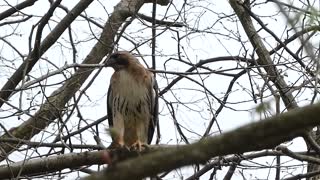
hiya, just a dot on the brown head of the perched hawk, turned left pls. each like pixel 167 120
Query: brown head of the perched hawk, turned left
pixel 120 60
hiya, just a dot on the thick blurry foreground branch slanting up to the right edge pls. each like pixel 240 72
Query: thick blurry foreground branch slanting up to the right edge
pixel 267 134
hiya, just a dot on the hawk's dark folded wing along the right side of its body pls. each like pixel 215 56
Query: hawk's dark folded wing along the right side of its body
pixel 154 108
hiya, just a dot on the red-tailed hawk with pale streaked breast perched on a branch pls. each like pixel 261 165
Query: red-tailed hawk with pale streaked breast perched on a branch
pixel 132 101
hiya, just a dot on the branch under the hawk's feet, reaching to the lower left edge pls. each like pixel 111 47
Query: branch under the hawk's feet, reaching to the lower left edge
pixel 32 167
